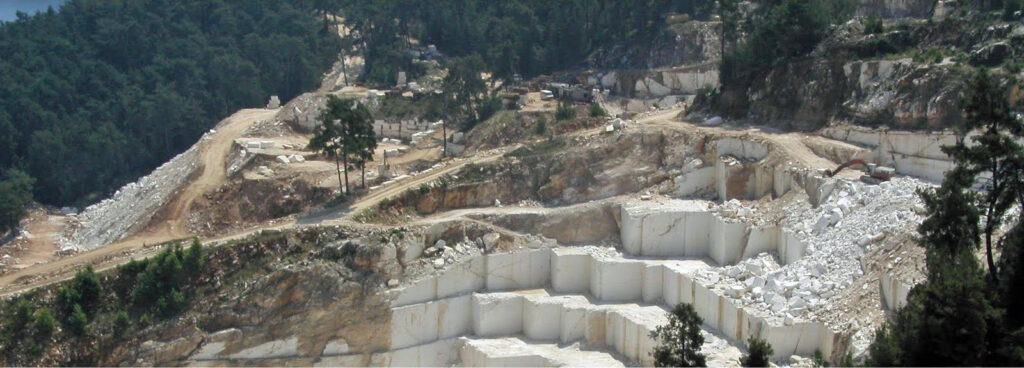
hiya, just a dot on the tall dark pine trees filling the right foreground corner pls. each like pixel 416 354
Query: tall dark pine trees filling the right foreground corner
pixel 958 316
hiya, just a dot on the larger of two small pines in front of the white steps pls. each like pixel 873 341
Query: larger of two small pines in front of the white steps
pixel 679 342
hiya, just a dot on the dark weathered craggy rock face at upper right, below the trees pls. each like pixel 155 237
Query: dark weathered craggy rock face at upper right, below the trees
pixel 899 94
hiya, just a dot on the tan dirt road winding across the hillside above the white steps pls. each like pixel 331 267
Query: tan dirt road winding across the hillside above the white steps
pixel 216 153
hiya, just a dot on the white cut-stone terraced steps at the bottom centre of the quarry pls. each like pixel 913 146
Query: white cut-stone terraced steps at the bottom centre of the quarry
pixel 595 297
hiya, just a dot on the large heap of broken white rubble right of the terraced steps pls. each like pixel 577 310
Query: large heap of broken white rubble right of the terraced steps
pixel 855 219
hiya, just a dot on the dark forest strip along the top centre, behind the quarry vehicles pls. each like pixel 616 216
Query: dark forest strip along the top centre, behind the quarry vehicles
pixel 525 37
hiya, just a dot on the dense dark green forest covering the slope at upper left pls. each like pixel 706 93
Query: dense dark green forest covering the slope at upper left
pixel 102 92
